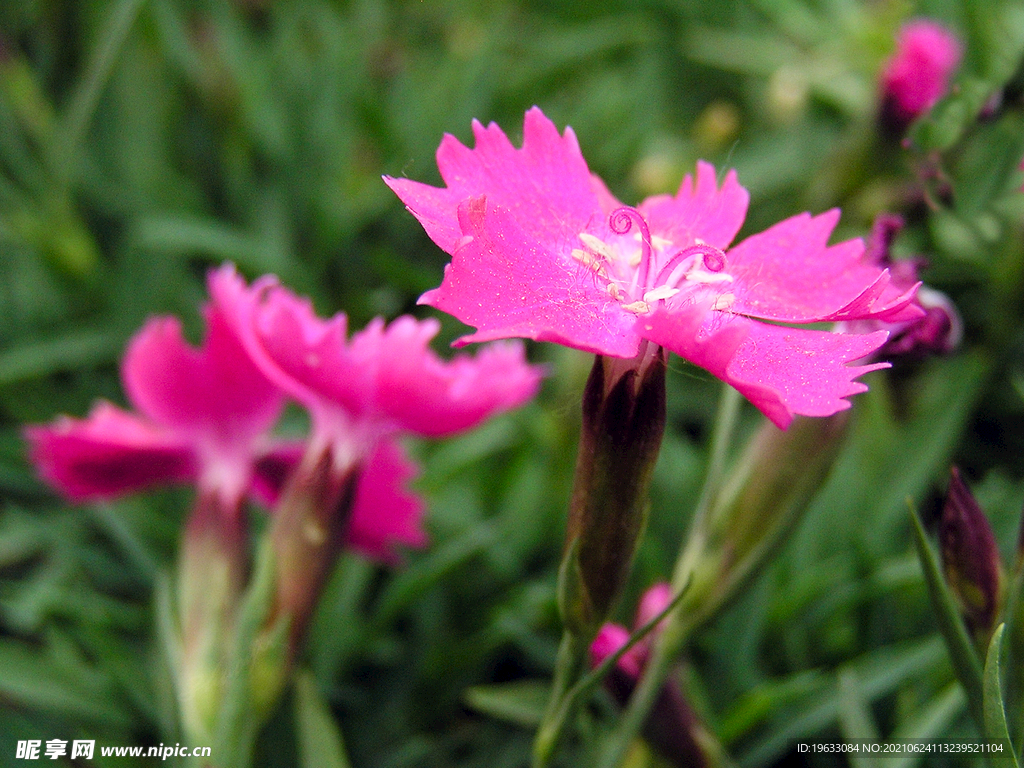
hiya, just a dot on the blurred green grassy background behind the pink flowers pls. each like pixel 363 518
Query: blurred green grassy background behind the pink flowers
pixel 143 143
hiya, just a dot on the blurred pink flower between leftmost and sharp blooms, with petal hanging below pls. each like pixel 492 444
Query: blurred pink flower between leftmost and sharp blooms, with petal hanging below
pixel 363 393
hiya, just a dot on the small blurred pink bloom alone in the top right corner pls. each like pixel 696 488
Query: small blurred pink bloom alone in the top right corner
pixel 918 75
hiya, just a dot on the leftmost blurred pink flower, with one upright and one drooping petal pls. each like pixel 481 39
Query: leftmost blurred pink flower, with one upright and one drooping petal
pixel 204 418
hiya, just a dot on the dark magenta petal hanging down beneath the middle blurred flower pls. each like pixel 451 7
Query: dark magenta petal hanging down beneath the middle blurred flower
pixel 386 515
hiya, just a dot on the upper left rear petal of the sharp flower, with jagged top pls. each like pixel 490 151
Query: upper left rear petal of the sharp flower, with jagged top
pixel 546 183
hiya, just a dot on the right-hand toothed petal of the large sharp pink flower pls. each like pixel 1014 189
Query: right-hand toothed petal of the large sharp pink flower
pixel 789 274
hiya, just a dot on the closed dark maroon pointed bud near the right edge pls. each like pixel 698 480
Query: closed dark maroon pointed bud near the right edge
pixel 970 558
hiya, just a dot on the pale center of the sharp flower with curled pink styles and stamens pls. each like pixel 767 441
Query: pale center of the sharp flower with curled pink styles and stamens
pixel 641 275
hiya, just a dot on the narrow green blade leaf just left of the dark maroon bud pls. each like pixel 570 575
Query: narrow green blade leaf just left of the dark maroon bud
pixel 962 654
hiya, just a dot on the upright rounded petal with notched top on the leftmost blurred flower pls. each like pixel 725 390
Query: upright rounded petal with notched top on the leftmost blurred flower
pixel 215 392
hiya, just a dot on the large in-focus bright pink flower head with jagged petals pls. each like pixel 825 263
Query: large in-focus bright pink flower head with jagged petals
pixel 541 249
